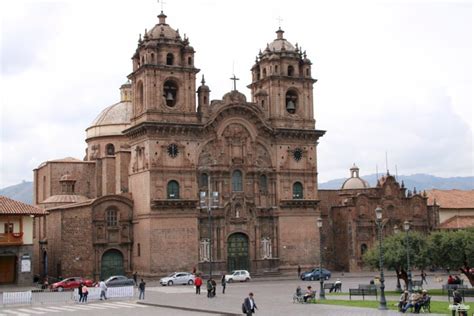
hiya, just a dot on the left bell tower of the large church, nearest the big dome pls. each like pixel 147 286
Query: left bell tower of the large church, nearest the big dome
pixel 164 76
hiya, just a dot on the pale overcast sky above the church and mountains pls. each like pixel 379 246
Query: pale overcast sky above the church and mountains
pixel 393 76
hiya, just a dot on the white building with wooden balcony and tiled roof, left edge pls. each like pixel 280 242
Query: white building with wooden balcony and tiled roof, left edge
pixel 16 241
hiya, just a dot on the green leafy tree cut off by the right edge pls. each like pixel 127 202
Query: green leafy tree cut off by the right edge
pixel 453 250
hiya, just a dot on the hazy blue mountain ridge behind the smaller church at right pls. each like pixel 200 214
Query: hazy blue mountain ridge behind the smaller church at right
pixel 419 181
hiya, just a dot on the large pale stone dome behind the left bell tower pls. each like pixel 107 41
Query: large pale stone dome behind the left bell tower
pixel 113 119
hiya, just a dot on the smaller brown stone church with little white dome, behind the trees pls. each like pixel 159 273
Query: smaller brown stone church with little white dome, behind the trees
pixel 350 214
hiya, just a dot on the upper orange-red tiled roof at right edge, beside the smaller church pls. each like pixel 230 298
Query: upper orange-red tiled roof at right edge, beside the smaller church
pixel 451 198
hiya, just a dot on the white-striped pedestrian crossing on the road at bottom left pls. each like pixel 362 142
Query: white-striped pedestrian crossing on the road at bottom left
pixel 64 309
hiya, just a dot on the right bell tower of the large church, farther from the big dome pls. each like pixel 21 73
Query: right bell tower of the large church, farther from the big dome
pixel 282 84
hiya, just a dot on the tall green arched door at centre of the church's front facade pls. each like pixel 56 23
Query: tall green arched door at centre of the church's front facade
pixel 238 252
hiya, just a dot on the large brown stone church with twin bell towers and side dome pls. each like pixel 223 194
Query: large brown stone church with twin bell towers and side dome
pixel 133 204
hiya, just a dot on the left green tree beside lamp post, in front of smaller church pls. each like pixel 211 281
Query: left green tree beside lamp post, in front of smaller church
pixel 395 253
